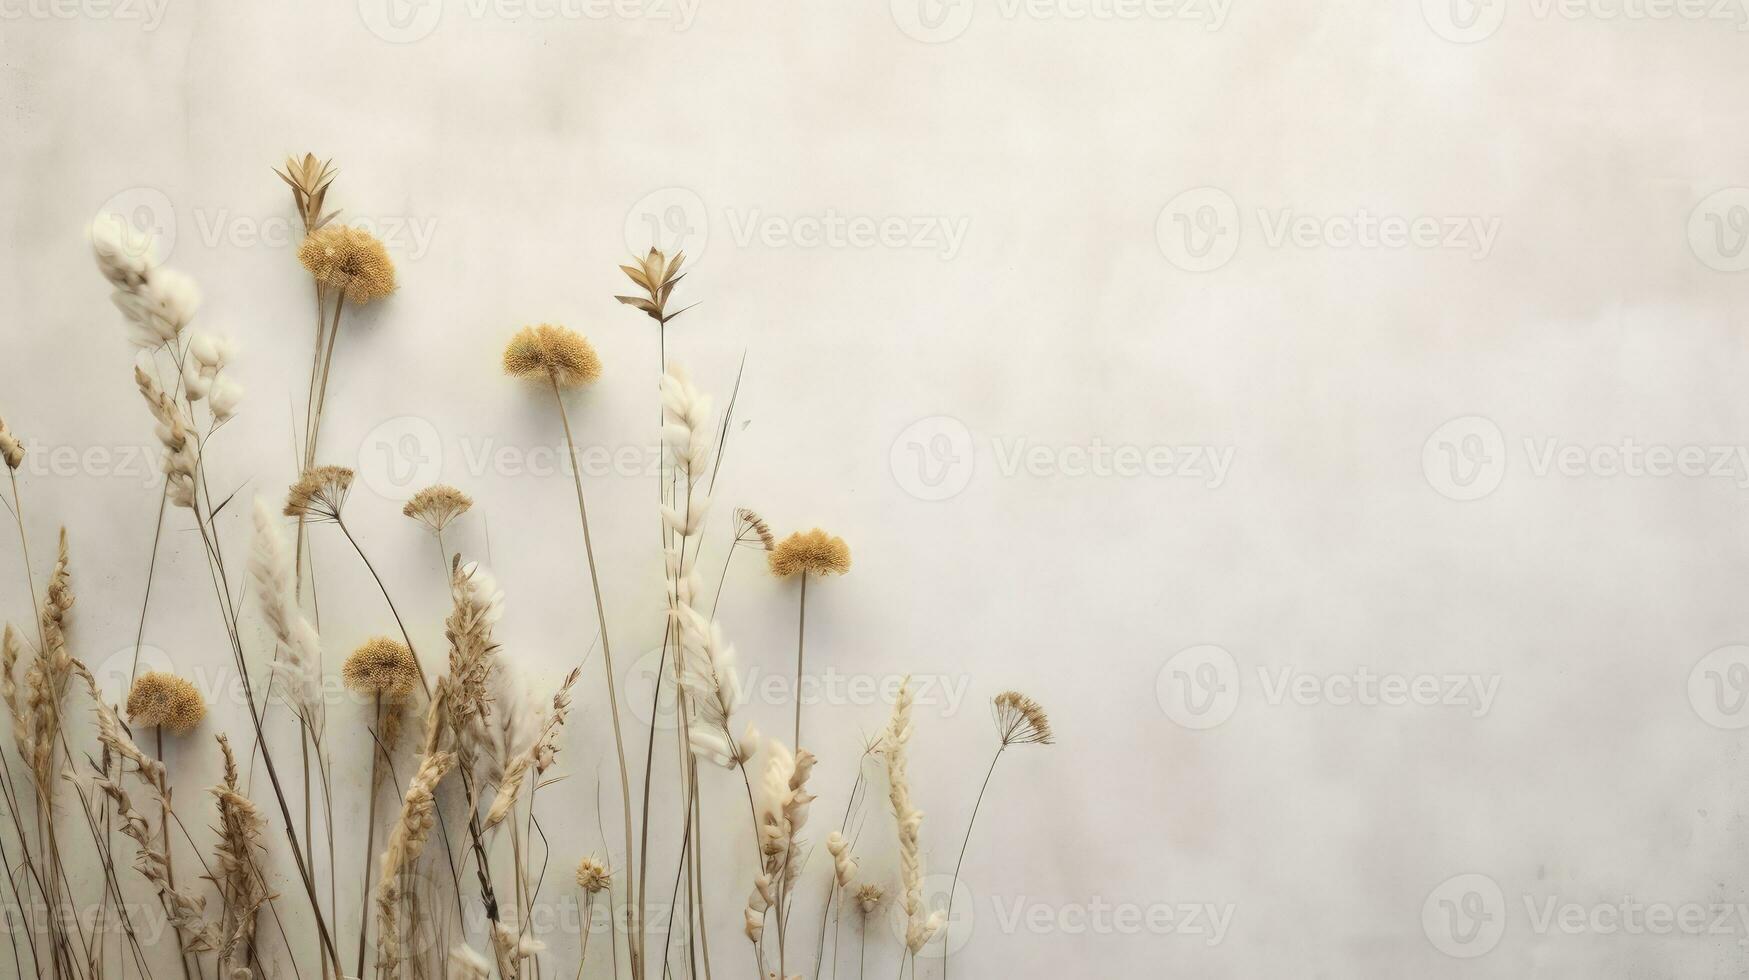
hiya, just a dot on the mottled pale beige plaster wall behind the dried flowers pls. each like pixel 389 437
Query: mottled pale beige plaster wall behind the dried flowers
pixel 1099 260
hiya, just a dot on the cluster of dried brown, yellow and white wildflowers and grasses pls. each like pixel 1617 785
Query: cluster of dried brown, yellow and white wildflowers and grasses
pixel 249 874
